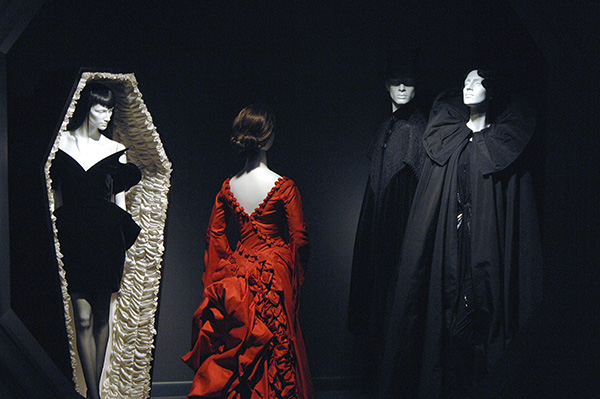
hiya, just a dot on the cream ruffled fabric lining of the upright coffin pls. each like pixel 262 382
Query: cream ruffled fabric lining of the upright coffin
pixel 128 362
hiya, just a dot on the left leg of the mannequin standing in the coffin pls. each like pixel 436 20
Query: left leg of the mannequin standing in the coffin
pixel 86 345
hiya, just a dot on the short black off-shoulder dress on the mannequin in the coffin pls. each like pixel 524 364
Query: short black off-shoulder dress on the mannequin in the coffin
pixel 94 232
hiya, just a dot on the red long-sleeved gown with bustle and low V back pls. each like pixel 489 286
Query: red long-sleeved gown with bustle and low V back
pixel 247 341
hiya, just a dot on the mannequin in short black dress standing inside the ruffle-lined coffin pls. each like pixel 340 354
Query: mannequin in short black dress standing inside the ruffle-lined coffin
pixel 89 176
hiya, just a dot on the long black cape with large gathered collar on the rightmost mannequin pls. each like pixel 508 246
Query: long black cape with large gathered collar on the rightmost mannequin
pixel 505 260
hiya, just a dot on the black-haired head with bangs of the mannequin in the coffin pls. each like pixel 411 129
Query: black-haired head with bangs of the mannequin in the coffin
pixel 95 105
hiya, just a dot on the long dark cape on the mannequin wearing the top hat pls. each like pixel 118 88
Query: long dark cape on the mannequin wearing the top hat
pixel 396 156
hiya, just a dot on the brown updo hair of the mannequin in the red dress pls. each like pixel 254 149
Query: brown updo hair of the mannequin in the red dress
pixel 252 129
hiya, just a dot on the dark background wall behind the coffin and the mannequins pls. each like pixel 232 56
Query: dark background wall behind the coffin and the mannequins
pixel 317 63
